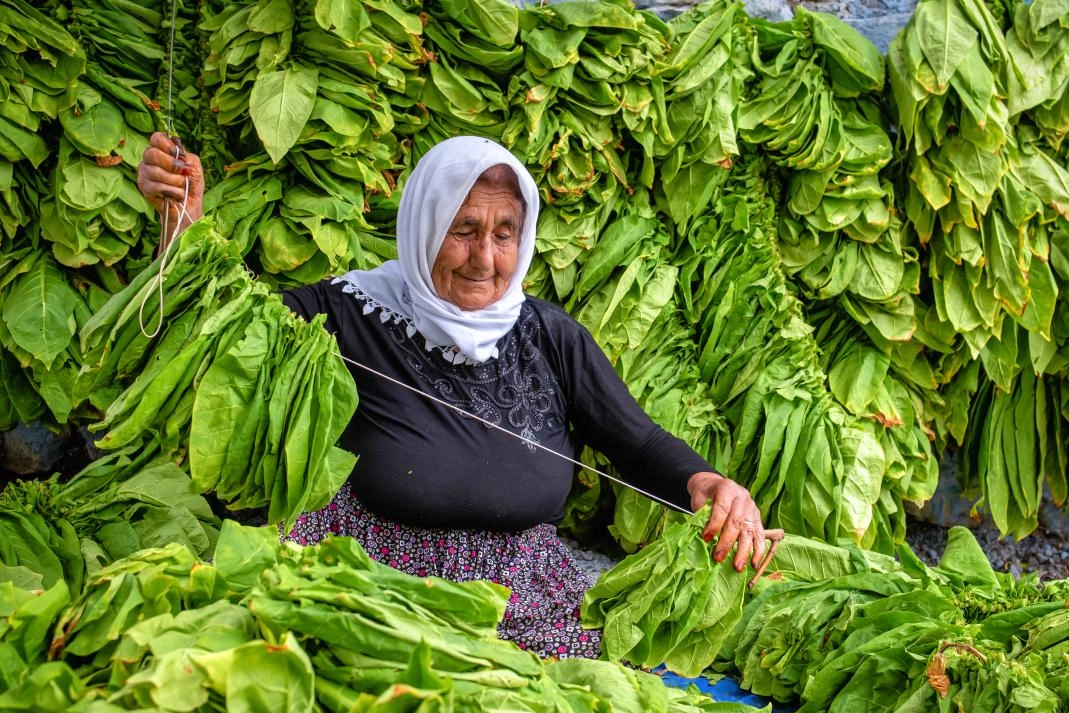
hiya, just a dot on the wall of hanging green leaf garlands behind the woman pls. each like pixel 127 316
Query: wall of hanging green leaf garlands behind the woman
pixel 818 266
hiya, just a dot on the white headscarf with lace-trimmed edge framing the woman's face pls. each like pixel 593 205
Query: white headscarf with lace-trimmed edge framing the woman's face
pixel 430 200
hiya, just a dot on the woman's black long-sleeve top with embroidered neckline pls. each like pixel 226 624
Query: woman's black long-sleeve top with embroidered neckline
pixel 423 464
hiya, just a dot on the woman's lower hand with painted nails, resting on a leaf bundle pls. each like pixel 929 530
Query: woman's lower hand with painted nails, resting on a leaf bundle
pixel 735 519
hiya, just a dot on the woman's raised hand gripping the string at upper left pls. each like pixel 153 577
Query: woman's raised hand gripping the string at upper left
pixel 162 178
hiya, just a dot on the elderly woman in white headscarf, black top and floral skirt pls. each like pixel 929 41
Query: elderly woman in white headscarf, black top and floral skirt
pixel 438 493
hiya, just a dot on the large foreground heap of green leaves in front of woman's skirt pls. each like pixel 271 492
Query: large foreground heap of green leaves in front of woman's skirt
pixel 274 627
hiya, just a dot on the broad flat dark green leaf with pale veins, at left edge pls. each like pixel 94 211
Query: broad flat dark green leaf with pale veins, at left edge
pixel 39 312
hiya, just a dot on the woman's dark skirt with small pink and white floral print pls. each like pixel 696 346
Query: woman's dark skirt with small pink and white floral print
pixel 546 583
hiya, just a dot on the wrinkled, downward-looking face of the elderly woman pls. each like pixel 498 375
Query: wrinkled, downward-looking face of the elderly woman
pixel 478 257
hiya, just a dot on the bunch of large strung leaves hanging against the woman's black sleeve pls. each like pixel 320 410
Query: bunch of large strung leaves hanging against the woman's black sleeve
pixel 268 414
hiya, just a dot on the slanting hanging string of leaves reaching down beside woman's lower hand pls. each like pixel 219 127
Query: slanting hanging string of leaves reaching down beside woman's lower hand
pixel 811 469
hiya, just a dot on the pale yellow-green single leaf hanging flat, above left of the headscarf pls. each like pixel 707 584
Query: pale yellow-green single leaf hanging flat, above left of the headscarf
pixel 281 104
